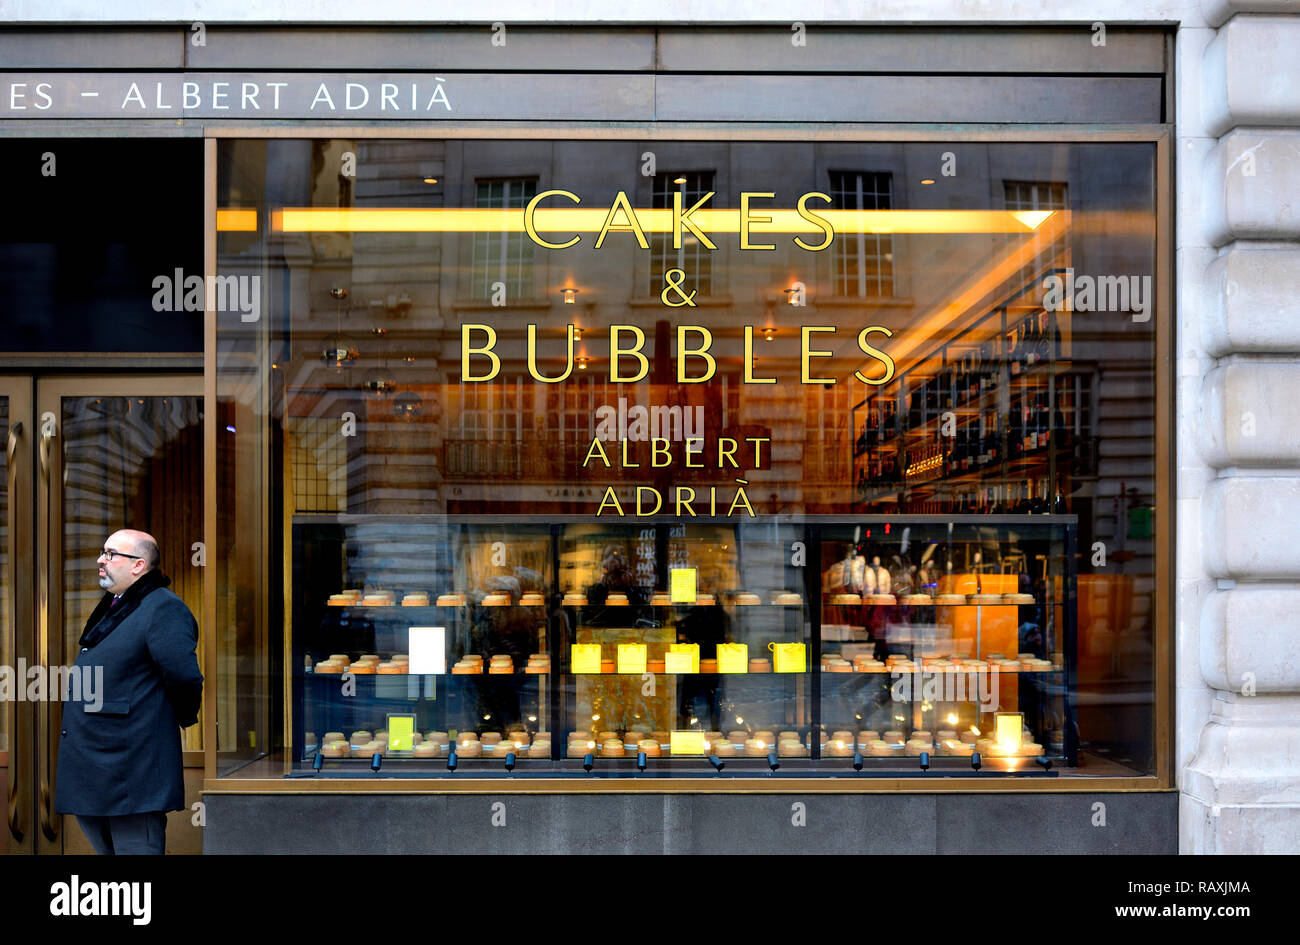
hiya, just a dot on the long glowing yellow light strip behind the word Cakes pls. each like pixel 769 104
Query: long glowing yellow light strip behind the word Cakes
pixel 560 220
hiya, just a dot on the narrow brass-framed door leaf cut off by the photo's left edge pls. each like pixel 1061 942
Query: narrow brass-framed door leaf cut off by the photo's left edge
pixel 19 803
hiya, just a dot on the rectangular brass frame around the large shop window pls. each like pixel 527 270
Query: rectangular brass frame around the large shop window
pixel 1159 136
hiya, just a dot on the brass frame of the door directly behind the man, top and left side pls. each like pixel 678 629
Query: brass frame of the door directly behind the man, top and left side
pixel 50 556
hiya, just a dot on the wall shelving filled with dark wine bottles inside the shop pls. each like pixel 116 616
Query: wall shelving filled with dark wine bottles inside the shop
pixel 995 421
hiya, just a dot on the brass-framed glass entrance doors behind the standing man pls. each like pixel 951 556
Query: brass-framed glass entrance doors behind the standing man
pixel 88 456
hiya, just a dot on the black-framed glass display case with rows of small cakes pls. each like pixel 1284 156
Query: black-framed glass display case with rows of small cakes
pixel 915 645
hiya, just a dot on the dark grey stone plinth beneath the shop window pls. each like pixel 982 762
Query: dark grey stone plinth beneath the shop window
pixel 1132 823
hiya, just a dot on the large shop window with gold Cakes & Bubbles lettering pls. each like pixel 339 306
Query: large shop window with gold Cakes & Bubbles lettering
pixel 877 476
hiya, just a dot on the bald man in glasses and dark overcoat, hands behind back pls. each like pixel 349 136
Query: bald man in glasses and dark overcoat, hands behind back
pixel 120 756
